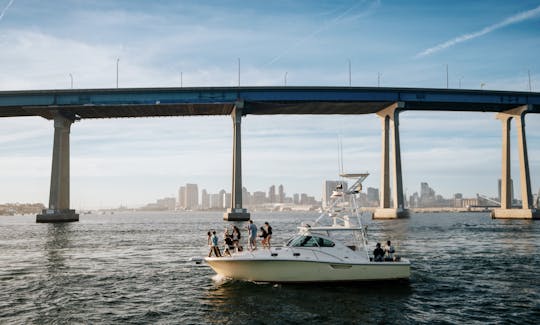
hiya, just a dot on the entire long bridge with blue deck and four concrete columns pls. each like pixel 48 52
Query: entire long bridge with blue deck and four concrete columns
pixel 66 106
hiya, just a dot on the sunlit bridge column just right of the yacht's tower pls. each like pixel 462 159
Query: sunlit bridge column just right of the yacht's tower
pixel 390 121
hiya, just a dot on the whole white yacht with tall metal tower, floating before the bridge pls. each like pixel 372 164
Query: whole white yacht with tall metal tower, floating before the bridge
pixel 333 248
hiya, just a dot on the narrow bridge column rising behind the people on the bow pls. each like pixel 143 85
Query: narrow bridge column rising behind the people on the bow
pixel 237 212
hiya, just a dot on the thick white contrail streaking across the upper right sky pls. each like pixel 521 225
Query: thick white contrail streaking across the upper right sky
pixel 466 37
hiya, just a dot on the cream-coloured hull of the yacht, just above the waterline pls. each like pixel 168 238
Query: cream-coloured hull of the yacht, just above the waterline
pixel 266 270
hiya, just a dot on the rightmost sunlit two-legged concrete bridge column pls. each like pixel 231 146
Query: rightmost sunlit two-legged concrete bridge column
pixel 527 211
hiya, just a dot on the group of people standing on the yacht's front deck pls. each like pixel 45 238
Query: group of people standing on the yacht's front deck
pixel 232 239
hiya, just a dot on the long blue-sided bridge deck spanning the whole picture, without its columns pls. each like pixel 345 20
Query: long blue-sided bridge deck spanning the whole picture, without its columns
pixel 151 102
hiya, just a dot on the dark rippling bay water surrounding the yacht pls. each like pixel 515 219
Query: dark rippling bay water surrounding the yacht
pixel 135 268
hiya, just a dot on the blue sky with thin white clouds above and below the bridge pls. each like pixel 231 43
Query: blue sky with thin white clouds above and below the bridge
pixel 47 45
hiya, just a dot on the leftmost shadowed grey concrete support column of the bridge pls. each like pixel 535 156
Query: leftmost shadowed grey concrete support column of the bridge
pixel 59 210
